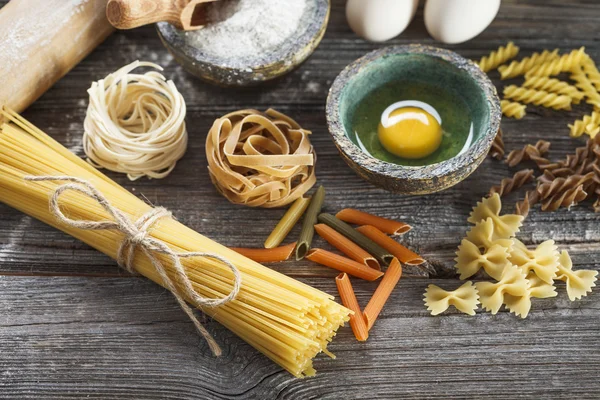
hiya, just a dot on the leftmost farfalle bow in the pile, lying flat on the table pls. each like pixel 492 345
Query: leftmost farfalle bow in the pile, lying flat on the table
pixel 464 299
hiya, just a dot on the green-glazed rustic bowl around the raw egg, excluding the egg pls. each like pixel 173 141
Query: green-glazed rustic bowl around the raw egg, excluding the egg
pixel 427 64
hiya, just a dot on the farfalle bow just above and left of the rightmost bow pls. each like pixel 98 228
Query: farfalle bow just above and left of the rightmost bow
pixel 543 260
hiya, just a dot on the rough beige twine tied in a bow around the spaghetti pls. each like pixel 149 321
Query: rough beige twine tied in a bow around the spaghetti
pixel 137 237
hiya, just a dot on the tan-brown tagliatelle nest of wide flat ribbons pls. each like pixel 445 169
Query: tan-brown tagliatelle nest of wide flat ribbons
pixel 260 159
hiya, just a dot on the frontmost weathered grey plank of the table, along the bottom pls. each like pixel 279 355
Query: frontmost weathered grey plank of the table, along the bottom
pixel 125 338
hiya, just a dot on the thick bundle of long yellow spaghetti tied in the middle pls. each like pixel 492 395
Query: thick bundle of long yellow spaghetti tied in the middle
pixel 288 321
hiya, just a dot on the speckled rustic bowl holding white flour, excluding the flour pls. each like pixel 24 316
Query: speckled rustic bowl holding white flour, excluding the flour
pixel 231 71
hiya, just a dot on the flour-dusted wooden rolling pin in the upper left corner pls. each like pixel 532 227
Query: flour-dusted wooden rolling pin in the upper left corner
pixel 41 40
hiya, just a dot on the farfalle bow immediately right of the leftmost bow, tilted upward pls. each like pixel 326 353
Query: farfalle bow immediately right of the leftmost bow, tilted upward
pixel 512 282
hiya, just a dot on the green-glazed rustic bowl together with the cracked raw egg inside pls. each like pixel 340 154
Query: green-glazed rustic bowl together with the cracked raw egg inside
pixel 413 119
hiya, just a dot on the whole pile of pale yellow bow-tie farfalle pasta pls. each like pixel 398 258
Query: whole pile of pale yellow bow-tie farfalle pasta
pixel 520 273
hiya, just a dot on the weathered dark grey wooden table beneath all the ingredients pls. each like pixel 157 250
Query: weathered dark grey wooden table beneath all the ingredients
pixel 73 325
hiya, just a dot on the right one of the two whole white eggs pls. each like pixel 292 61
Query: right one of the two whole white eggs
pixel 456 21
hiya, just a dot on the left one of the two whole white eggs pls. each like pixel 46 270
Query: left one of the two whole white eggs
pixel 380 20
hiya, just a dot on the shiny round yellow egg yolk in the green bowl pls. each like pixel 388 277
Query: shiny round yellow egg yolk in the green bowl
pixel 410 132
